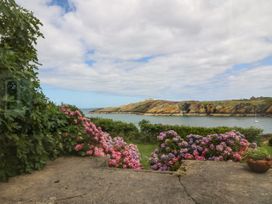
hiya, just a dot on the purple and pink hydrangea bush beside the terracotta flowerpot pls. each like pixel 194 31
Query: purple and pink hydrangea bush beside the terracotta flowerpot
pixel 219 147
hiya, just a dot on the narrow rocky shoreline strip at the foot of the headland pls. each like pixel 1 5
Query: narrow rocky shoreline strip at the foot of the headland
pixel 184 115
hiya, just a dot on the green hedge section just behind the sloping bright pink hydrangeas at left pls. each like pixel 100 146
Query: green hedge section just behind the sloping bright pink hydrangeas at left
pixel 117 128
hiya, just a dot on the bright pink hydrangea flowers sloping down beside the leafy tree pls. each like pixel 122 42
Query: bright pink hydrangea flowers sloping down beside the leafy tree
pixel 99 143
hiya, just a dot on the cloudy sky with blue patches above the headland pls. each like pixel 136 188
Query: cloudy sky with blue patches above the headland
pixel 99 53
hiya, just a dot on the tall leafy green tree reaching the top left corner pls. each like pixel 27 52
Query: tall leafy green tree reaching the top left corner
pixel 25 135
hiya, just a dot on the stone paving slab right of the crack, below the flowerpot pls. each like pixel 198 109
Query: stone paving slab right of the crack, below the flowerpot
pixel 226 182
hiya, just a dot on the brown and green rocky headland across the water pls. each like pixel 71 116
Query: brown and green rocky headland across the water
pixel 262 106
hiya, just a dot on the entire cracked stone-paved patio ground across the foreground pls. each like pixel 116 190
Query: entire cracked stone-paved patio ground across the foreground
pixel 85 180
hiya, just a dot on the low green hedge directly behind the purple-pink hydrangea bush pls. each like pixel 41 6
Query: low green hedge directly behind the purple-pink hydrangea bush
pixel 149 131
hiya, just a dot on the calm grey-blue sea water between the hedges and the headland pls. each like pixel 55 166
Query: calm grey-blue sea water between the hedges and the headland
pixel 264 123
